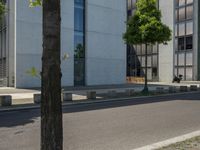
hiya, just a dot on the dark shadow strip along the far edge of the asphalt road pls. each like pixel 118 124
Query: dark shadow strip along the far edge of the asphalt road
pixel 23 117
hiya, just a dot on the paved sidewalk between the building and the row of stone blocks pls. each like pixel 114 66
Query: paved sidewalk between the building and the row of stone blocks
pixel 25 96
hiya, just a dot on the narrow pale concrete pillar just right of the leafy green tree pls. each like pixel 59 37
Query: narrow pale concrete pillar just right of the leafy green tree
pixel 166 52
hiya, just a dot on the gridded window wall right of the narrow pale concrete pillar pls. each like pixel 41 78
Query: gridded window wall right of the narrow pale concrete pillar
pixel 184 39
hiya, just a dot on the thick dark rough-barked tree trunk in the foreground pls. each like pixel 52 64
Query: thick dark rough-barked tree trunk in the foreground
pixel 51 107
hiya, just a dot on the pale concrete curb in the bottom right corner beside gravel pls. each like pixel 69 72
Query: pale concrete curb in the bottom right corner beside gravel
pixel 170 141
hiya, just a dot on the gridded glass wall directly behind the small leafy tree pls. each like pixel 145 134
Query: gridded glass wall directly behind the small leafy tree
pixel 136 55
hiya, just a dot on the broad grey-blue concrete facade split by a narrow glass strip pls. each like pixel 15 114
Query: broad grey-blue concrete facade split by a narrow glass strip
pixel 105 49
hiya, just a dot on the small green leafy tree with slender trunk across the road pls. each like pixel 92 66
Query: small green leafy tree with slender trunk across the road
pixel 145 27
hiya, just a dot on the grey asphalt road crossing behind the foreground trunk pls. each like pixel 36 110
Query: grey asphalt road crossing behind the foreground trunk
pixel 119 125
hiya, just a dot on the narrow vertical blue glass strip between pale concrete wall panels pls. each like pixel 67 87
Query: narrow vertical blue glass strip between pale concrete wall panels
pixel 79 42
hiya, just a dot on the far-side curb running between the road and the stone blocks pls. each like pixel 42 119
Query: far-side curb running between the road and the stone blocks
pixel 36 106
